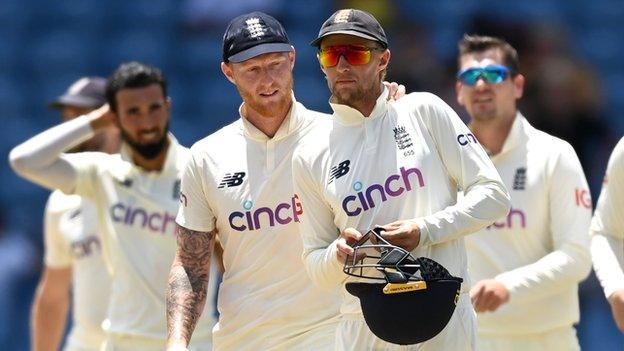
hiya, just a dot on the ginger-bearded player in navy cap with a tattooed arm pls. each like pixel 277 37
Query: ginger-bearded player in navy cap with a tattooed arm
pixel 239 183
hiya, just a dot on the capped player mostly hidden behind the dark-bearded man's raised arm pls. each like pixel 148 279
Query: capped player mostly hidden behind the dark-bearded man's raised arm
pixel 73 263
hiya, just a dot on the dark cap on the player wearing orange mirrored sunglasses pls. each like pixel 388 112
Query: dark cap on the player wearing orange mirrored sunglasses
pixel 352 22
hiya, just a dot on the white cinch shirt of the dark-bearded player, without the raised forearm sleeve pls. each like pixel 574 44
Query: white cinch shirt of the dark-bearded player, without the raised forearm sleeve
pixel 136 211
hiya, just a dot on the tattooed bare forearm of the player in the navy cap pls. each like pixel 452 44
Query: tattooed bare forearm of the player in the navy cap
pixel 188 282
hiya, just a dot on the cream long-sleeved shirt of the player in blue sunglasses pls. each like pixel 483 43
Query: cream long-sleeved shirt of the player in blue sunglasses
pixel 539 251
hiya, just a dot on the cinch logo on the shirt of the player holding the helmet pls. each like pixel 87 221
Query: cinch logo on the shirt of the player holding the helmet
pixel 395 185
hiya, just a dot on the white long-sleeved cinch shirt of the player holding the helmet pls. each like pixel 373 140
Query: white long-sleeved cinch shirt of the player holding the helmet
pixel 405 162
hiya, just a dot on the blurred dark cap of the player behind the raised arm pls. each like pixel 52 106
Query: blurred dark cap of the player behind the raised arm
pixel 85 92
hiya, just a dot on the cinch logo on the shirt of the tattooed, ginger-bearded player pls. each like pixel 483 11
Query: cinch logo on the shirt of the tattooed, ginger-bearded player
pixel 283 214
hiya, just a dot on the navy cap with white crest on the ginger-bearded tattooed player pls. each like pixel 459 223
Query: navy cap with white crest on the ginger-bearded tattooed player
pixel 253 34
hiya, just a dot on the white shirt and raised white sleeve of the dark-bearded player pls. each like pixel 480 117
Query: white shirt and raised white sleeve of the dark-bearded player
pixel 136 215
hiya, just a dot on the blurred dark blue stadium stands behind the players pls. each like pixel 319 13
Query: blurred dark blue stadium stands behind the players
pixel 571 52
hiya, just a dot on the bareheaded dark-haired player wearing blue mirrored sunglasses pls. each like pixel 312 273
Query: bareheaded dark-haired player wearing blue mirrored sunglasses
pixel 526 266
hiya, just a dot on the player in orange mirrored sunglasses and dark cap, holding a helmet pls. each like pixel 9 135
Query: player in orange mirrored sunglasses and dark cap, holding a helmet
pixel 397 165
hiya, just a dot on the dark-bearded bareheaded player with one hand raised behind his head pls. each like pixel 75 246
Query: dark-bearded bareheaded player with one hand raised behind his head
pixel 135 195
